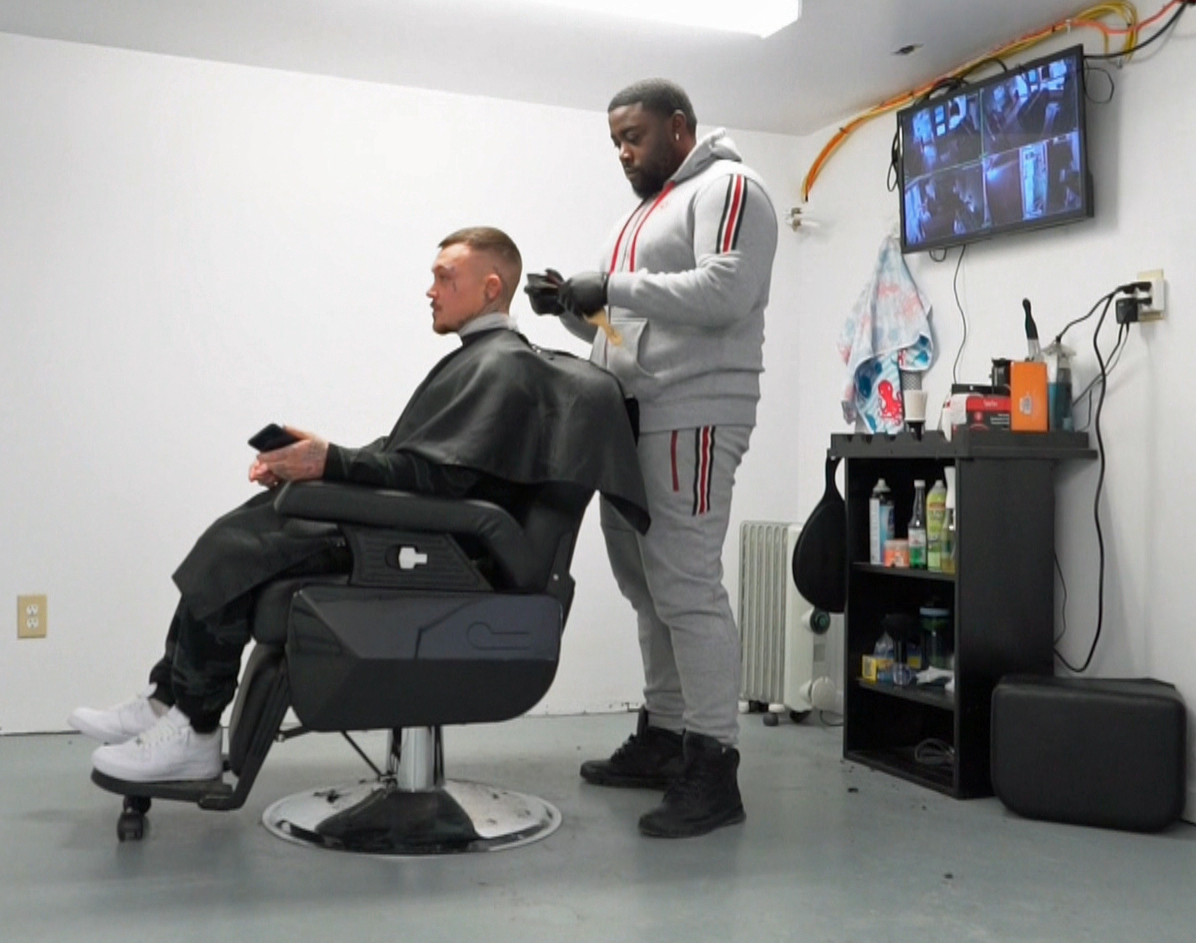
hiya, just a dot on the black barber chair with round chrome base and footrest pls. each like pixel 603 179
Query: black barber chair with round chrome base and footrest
pixel 453 615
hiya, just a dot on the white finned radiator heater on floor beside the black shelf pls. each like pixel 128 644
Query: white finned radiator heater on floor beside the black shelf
pixel 784 638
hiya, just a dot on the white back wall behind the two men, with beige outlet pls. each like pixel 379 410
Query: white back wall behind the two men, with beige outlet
pixel 191 250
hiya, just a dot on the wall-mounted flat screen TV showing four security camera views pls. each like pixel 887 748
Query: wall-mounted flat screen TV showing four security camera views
pixel 1005 155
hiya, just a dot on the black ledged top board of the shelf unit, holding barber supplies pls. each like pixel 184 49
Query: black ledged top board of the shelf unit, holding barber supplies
pixel 965 445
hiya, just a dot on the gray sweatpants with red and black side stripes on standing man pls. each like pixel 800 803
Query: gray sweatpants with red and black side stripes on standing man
pixel 673 577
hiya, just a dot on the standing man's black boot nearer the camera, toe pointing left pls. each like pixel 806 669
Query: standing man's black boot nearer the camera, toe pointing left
pixel 705 798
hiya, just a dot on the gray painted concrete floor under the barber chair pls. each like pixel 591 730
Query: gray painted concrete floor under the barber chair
pixel 831 853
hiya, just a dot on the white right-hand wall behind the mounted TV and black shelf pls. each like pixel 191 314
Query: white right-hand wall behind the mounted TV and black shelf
pixel 1142 155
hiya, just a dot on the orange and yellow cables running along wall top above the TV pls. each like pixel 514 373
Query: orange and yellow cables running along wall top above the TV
pixel 1089 19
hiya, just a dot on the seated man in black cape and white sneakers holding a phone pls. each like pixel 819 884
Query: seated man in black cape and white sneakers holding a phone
pixel 492 421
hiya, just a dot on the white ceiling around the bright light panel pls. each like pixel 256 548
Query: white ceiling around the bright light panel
pixel 837 60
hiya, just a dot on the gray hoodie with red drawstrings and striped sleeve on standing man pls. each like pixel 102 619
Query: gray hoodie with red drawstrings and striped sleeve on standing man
pixel 689 277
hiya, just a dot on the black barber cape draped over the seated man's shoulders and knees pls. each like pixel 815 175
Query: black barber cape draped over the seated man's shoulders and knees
pixel 498 406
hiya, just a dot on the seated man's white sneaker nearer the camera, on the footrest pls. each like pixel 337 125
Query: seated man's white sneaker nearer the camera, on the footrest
pixel 168 752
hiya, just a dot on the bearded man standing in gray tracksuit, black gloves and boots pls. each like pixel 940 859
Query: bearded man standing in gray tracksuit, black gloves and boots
pixel 686 278
